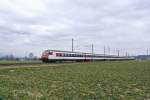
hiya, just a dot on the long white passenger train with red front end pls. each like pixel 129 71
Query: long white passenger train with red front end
pixel 51 56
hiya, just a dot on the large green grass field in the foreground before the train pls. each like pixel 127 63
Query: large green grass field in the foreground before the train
pixel 85 81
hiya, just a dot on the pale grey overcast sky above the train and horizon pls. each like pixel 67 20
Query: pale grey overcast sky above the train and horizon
pixel 36 25
